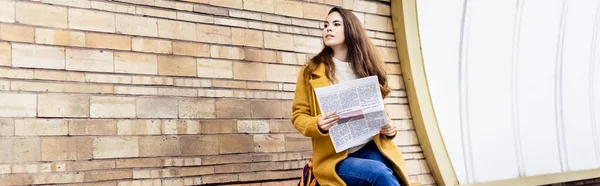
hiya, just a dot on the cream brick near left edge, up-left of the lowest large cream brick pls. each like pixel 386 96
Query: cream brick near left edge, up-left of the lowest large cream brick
pixel 40 127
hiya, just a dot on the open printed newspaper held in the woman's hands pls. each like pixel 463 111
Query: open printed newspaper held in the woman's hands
pixel 360 107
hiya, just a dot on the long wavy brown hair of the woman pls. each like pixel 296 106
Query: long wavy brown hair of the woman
pixel 362 54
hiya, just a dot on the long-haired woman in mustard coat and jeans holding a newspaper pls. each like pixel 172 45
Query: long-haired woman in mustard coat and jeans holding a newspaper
pixel 348 54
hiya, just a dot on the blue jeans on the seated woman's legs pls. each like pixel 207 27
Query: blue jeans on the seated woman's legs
pixel 366 166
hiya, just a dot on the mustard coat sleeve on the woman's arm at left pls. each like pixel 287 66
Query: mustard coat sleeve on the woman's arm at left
pixel 302 119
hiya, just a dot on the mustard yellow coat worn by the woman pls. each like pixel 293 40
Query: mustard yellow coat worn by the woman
pixel 305 114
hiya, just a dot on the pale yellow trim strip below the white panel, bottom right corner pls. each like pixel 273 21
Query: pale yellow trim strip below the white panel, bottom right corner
pixel 543 179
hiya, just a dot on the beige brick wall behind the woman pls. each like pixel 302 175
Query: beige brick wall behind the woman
pixel 162 92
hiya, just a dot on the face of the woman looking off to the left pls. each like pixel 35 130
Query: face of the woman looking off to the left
pixel 333 30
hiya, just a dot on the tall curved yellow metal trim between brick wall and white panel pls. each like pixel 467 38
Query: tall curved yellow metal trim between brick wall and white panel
pixel 406 30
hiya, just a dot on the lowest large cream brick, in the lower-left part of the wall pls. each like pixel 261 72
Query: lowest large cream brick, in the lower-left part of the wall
pixel 115 147
